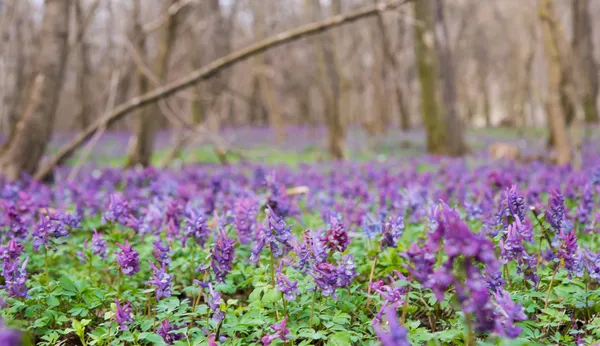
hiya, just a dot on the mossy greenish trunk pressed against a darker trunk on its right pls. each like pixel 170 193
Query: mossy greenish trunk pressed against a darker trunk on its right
pixel 426 61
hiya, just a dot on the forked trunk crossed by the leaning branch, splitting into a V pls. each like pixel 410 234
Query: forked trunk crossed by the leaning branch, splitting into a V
pixel 147 123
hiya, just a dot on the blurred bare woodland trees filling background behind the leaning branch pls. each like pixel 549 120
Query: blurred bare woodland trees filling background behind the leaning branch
pixel 441 65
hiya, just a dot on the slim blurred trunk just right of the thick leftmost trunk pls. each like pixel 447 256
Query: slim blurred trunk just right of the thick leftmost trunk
pixel 84 70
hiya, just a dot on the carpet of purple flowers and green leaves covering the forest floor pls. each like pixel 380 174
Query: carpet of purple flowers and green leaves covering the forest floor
pixel 433 251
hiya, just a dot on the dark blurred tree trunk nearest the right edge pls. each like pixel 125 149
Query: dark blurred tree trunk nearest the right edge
pixel 583 47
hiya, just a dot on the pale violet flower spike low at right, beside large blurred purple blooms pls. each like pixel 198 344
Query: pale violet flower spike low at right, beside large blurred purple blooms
pixel 507 313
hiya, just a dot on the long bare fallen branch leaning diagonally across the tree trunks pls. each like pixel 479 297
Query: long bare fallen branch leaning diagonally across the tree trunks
pixel 208 71
